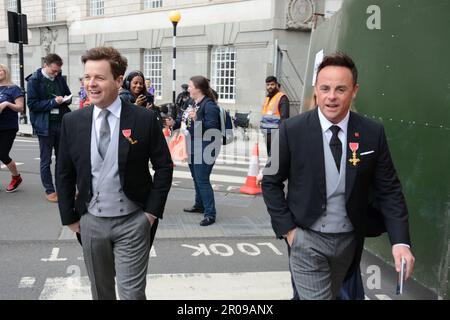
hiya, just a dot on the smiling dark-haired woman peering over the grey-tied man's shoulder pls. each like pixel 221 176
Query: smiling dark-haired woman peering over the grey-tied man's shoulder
pixel 134 91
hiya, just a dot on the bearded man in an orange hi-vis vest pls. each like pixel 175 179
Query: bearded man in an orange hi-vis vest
pixel 275 110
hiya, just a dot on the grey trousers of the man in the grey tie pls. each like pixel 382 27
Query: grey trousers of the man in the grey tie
pixel 116 247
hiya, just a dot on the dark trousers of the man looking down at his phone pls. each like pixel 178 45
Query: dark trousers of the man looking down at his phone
pixel 46 146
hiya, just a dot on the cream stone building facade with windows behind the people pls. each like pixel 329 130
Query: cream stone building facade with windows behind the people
pixel 234 43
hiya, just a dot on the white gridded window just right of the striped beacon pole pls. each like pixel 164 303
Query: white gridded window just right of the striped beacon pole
pixel 223 73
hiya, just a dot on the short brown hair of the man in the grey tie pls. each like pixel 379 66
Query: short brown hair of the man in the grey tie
pixel 117 62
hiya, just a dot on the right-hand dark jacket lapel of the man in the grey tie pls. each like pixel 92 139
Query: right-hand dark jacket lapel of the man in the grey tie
pixel 126 122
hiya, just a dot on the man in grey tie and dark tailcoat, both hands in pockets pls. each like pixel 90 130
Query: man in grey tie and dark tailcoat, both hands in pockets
pixel 104 152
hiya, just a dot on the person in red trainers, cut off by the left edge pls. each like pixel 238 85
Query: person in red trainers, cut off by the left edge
pixel 11 102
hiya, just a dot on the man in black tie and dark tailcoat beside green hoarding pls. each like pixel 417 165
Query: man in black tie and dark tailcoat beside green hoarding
pixel 332 158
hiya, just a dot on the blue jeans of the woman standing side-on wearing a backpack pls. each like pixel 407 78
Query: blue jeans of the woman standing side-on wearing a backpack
pixel 204 194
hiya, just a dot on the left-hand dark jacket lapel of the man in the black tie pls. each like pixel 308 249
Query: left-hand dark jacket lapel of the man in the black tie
pixel 316 152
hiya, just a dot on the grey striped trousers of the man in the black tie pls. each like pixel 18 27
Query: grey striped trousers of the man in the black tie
pixel 320 261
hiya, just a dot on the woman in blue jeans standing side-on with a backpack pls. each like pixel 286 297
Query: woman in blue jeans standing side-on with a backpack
pixel 203 114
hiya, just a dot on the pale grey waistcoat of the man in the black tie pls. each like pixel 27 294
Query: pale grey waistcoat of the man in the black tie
pixel 334 219
